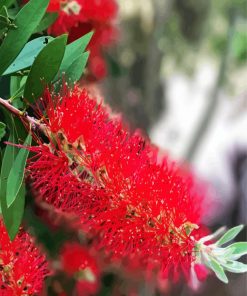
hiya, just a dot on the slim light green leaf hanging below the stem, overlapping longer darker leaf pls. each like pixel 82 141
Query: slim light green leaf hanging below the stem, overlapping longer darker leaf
pixel 16 175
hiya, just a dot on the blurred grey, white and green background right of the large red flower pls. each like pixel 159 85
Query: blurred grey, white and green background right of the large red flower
pixel 178 71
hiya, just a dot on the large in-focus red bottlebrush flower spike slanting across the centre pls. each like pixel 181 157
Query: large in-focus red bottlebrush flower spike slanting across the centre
pixel 136 203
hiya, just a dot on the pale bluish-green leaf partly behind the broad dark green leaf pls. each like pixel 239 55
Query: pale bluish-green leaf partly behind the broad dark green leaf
pixel 28 54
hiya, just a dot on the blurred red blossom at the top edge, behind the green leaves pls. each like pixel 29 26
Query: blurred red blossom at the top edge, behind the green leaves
pixel 78 17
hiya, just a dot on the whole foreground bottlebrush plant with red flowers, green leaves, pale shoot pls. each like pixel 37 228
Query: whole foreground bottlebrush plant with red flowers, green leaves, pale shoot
pixel 128 209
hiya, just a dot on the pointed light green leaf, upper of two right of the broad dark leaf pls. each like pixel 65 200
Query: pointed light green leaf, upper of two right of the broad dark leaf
pixel 73 51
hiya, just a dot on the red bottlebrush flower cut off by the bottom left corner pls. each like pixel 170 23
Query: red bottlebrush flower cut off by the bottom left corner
pixel 22 266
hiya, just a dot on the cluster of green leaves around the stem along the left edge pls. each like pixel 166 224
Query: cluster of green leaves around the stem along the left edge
pixel 28 65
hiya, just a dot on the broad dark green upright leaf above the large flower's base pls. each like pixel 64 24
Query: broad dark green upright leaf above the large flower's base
pixel 45 68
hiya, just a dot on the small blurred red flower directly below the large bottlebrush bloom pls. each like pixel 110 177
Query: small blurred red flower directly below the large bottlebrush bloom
pixel 77 262
